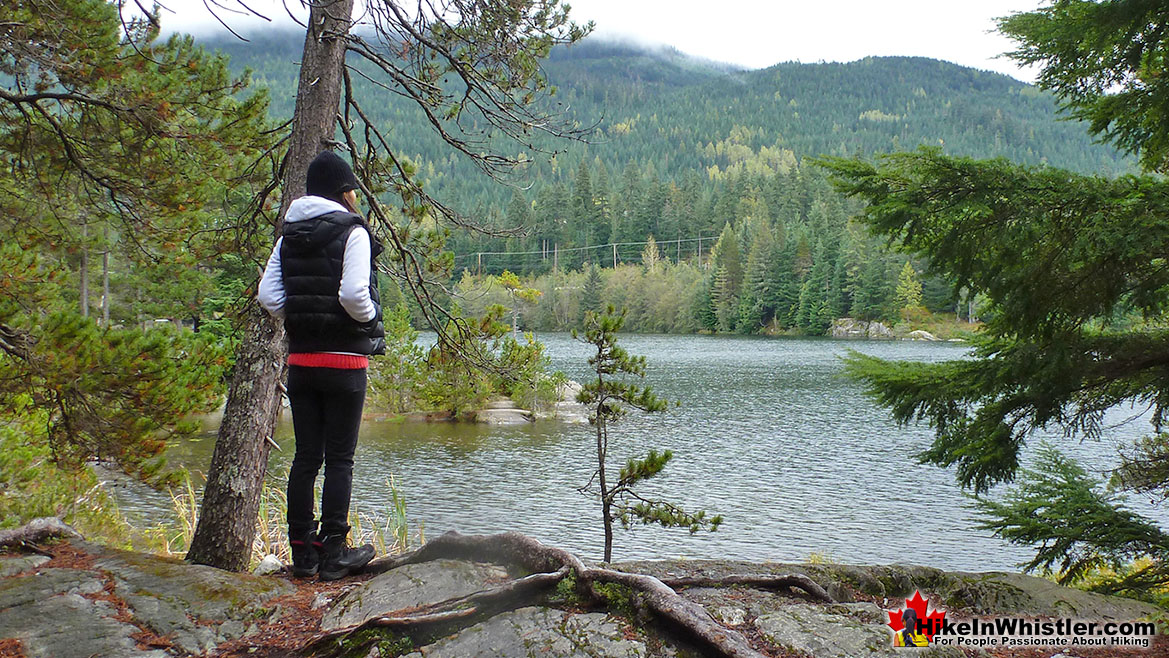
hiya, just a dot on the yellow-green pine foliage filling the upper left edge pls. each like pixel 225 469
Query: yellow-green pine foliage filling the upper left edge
pixel 108 134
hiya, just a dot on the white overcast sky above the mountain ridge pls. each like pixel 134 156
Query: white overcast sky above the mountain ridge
pixel 760 33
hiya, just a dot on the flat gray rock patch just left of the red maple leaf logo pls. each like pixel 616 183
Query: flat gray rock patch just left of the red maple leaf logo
pixel 852 631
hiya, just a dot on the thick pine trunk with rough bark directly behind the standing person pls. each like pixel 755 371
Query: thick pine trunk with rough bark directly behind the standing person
pixel 227 522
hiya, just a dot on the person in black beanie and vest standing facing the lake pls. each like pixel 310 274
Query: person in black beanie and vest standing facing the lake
pixel 322 280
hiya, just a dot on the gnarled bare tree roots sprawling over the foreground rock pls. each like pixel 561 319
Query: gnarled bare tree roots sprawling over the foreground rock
pixel 549 567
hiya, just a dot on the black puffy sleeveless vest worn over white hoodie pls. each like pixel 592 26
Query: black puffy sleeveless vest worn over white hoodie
pixel 312 257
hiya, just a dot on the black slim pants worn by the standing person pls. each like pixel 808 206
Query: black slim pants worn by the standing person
pixel 327 413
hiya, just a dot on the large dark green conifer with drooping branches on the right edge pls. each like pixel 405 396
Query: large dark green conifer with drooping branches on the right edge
pixel 1060 258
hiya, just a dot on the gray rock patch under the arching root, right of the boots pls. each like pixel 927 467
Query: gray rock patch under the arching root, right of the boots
pixel 411 587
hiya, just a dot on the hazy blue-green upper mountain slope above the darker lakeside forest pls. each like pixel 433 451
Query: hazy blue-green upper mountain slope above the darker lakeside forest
pixel 662 108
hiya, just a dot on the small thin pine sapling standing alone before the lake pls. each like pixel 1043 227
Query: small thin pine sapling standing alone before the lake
pixel 611 397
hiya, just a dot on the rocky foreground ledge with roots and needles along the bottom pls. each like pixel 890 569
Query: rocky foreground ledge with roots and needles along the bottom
pixel 74 599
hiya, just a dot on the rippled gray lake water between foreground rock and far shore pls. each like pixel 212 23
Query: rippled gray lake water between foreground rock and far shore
pixel 769 434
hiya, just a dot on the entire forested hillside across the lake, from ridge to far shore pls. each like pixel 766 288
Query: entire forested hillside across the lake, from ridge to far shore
pixel 693 154
